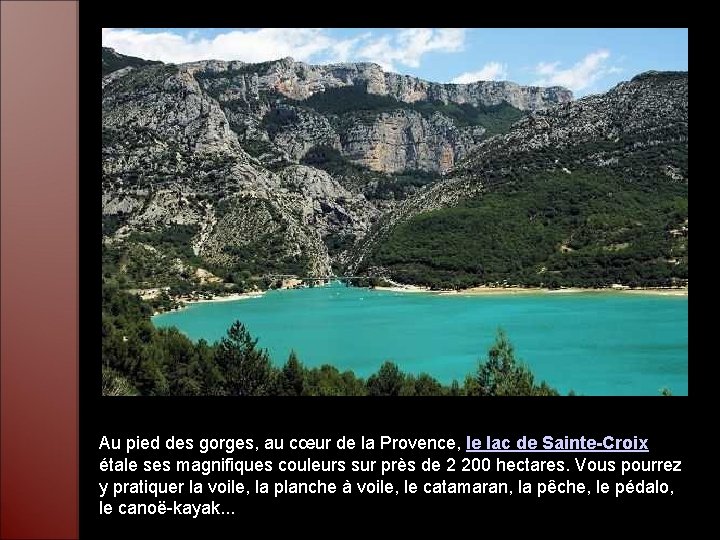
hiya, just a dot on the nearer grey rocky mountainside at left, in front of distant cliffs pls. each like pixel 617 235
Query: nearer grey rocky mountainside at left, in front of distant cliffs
pixel 169 158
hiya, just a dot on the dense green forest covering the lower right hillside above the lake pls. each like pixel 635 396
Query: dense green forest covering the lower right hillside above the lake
pixel 588 228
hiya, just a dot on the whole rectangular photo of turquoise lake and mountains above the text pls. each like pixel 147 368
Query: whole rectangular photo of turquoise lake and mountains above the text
pixel 395 212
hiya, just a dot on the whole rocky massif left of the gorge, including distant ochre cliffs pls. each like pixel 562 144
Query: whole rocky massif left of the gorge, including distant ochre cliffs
pixel 222 148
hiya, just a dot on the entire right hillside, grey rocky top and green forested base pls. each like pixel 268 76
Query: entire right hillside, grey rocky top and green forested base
pixel 590 193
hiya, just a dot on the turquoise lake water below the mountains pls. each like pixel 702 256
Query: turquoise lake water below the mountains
pixel 593 343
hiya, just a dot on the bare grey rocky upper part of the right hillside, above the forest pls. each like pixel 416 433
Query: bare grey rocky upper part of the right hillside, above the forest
pixel 603 130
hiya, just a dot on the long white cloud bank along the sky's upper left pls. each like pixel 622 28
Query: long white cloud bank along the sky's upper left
pixel 404 46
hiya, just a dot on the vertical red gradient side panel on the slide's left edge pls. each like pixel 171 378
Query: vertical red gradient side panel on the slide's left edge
pixel 38 220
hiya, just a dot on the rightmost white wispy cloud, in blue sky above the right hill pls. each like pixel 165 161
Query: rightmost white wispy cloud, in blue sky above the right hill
pixel 580 76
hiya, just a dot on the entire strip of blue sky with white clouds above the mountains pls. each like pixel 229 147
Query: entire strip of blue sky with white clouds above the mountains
pixel 585 60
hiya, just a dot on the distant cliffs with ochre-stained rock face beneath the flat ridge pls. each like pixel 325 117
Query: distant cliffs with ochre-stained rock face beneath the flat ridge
pixel 386 140
